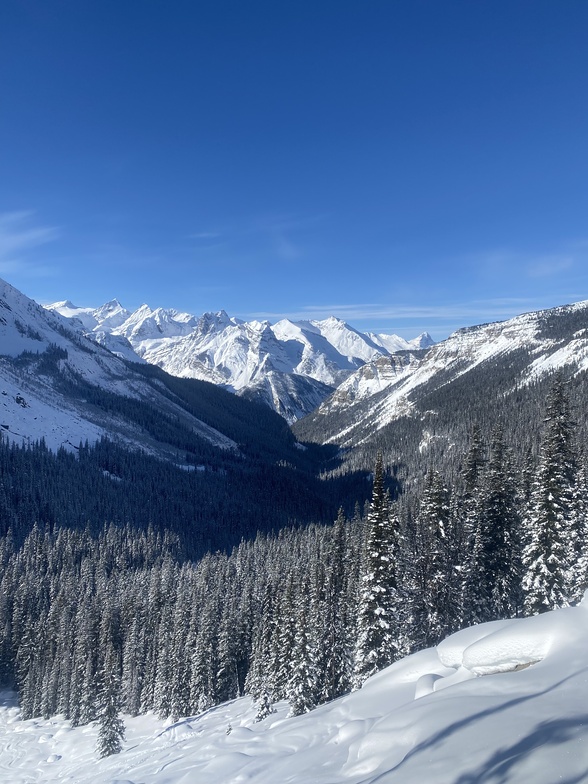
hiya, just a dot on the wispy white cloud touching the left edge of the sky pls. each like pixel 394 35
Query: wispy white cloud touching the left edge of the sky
pixel 18 239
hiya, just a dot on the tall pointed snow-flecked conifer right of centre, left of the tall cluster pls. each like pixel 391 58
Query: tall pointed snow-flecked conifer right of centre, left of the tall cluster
pixel 376 617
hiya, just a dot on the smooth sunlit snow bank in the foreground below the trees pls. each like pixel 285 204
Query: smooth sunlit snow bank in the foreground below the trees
pixel 497 703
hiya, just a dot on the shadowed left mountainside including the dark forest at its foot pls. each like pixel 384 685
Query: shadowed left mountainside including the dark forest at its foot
pixel 184 455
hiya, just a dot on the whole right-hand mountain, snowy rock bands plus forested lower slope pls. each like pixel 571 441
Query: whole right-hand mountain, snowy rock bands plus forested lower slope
pixel 412 401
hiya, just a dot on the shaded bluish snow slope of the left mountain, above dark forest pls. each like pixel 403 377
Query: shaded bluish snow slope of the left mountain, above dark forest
pixel 45 365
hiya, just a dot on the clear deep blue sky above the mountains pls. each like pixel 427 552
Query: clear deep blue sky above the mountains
pixel 405 165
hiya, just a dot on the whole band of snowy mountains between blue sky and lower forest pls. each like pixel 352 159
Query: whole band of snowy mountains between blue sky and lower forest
pixel 415 404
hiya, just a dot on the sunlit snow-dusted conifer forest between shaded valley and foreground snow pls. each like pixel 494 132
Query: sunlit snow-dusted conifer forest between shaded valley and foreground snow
pixel 122 617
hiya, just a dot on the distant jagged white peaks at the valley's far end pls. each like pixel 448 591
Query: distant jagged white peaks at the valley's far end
pixel 290 366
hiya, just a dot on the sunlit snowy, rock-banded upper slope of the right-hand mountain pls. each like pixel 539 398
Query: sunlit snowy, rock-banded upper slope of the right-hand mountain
pixel 528 346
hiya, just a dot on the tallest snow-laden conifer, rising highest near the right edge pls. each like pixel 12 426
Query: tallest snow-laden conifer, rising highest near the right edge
pixel 546 557
